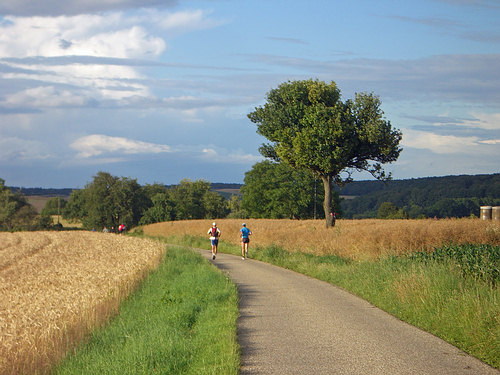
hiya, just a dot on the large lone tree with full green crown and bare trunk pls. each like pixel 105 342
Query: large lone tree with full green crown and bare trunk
pixel 311 128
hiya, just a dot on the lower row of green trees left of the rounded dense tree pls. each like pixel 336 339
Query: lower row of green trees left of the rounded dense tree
pixel 109 201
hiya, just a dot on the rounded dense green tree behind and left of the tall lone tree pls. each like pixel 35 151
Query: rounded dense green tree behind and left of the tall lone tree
pixel 276 190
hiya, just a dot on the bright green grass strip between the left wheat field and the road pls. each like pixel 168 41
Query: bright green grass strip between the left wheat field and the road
pixel 182 320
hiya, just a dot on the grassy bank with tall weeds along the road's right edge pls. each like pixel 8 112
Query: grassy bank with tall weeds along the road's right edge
pixel 431 292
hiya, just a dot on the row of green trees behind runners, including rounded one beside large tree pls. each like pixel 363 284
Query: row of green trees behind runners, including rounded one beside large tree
pixel 271 190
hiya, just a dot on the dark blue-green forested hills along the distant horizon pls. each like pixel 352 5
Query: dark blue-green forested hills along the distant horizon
pixel 448 196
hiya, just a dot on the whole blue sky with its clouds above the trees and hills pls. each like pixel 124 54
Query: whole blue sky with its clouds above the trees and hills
pixel 159 90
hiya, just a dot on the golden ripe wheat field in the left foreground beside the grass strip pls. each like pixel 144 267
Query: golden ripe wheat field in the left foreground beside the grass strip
pixel 56 286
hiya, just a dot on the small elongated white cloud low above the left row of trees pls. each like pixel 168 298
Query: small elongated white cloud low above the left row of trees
pixel 98 144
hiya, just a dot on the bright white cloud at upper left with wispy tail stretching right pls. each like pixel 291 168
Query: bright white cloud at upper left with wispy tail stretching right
pixel 118 34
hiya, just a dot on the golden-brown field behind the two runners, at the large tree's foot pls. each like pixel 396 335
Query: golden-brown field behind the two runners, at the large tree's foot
pixel 355 239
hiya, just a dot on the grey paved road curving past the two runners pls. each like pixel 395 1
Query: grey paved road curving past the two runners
pixel 292 324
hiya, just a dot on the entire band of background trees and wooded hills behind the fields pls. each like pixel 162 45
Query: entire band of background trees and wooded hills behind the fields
pixel 270 190
